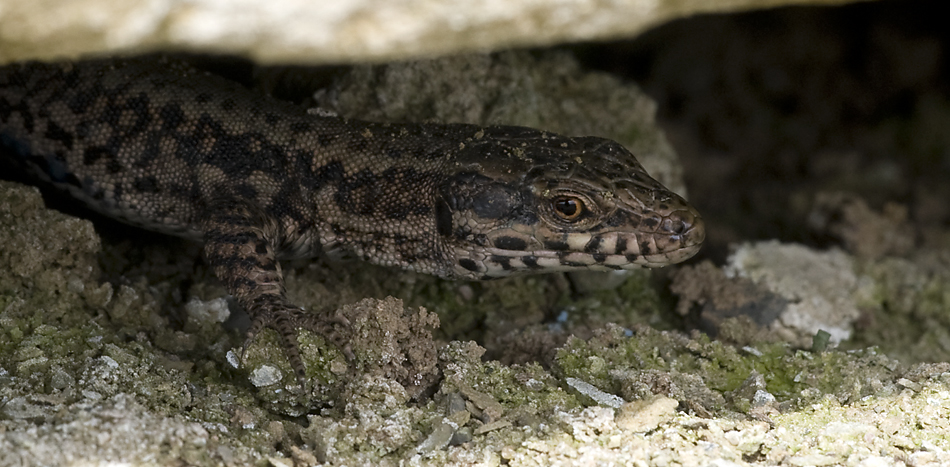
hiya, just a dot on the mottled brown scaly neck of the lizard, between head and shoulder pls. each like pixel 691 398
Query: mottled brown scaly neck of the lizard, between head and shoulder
pixel 373 192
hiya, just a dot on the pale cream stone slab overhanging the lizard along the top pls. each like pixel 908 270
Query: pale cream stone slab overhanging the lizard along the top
pixel 304 31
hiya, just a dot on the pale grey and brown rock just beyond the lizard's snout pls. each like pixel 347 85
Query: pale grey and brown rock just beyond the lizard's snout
pixel 791 290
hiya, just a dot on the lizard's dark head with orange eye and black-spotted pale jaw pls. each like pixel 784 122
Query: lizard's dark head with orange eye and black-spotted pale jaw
pixel 520 201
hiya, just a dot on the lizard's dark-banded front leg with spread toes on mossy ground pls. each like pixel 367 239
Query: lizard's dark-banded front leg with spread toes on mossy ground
pixel 240 244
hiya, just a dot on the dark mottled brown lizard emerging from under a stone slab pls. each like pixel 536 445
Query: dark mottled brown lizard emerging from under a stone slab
pixel 158 144
